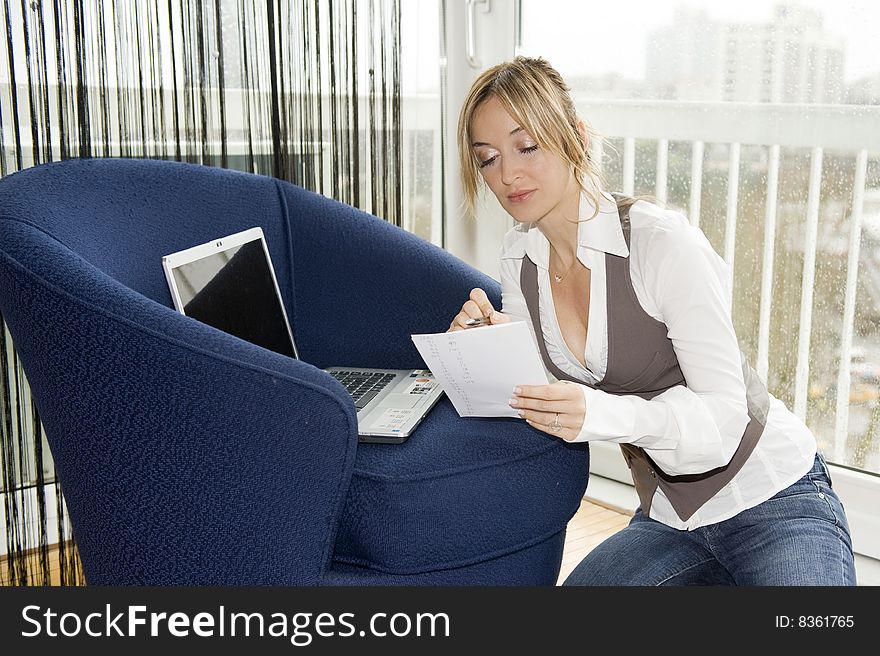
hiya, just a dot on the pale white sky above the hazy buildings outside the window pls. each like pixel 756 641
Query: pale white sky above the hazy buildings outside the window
pixel 582 37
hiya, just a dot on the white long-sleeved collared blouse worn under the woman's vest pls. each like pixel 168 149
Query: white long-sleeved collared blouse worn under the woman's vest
pixel 680 280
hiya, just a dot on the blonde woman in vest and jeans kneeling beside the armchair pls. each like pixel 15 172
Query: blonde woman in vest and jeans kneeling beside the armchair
pixel 628 304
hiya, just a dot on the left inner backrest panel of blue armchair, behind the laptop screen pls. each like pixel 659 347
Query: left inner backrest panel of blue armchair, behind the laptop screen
pixel 123 215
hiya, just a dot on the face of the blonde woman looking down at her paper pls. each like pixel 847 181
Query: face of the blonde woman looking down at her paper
pixel 528 181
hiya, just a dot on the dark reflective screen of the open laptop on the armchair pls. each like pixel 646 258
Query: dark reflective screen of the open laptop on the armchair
pixel 232 287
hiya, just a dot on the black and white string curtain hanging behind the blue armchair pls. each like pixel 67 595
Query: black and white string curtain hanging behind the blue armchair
pixel 305 91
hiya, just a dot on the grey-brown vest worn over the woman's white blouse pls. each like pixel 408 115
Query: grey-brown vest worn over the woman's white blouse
pixel 642 361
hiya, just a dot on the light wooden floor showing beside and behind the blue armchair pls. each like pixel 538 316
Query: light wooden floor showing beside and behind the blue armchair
pixel 590 525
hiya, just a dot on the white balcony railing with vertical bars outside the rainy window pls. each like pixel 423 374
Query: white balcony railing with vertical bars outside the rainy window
pixel 843 129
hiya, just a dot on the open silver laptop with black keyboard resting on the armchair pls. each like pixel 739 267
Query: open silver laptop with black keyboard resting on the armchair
pixel 229 283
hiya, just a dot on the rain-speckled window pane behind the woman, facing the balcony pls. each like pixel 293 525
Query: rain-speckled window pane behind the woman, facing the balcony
pixel 800 226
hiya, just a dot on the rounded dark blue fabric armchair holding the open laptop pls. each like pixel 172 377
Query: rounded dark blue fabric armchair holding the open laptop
pixel 188 456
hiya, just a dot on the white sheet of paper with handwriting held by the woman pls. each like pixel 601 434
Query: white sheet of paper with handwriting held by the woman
pixel 479 367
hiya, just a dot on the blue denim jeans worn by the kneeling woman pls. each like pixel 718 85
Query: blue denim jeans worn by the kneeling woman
pixel 798 537
